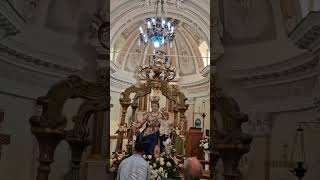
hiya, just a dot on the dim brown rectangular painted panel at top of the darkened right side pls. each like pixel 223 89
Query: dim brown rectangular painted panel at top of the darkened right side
pixel 247 21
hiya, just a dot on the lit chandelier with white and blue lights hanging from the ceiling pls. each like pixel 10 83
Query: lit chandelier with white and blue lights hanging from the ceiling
pixel 158 30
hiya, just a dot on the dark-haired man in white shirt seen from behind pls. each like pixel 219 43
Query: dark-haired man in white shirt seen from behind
pixel 134 167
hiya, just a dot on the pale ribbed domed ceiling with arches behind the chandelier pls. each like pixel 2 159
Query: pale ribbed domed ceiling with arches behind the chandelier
pixel 192 30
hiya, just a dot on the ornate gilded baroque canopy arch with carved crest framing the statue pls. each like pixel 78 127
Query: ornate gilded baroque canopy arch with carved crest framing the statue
pixel 156 76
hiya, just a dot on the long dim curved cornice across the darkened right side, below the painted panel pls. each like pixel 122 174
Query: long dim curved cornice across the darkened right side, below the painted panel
pixel 299 67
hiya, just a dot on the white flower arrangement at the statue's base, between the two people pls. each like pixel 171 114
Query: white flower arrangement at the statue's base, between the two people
pixel 164 166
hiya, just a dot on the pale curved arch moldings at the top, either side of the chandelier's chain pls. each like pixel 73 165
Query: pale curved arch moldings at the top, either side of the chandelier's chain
pixel 126 14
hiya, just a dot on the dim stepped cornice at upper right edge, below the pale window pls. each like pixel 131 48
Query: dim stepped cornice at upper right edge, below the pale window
pixel 306 34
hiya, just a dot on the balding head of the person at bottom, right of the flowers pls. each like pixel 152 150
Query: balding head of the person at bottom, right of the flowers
pixel 192 169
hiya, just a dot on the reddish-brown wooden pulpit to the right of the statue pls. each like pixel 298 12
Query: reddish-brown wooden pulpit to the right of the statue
pixel 192 143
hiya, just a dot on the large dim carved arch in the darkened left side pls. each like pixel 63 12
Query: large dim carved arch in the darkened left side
pixel 49 127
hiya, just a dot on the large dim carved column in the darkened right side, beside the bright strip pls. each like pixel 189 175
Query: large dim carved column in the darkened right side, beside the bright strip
pixel 230 142
